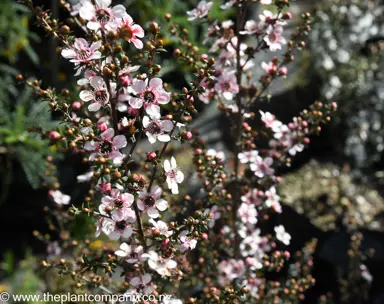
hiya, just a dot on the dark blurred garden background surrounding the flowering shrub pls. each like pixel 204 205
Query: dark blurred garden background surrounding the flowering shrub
pixel 332 191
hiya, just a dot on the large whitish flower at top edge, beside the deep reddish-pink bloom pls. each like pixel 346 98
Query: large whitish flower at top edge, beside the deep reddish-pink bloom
pixel 101 16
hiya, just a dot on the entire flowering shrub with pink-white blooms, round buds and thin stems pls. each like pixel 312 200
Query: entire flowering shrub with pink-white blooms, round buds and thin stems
pixel 135 194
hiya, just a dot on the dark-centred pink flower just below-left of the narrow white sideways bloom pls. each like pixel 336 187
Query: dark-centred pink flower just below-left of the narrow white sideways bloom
pixel 152 202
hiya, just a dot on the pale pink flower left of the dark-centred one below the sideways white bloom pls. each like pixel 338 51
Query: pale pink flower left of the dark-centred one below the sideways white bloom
pixel 118 202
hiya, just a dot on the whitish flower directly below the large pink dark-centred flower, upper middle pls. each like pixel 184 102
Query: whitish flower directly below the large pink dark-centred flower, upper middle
pixel 156 129
